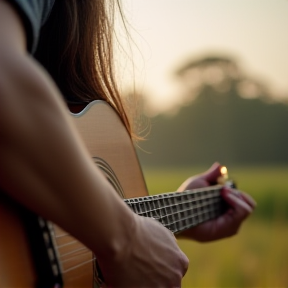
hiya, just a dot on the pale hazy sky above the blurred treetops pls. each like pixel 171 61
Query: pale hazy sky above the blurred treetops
pixel 168 32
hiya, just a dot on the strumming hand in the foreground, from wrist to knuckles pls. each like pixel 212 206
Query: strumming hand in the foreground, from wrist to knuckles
pixel 152 259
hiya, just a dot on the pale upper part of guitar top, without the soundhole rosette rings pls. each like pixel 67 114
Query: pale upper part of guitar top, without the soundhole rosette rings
pixel 106 138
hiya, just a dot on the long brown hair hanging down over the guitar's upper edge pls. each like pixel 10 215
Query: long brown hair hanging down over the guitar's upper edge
pixel 76 48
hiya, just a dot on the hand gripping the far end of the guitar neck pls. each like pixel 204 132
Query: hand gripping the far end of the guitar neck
pixel 228 224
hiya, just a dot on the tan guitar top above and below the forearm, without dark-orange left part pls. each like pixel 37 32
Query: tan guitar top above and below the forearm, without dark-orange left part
pixel 110 145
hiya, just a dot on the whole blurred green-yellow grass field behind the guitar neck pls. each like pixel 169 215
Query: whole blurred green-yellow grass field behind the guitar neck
pixel 258 255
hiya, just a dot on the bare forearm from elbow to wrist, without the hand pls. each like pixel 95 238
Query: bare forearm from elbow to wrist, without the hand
pixel 44 164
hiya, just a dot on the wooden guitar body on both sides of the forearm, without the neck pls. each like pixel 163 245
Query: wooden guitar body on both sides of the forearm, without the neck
pixel 111 148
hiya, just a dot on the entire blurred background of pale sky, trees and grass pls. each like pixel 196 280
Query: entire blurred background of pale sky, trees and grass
pixel 212 78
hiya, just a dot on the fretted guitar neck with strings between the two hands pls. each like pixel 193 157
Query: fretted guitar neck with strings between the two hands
pixel 181 211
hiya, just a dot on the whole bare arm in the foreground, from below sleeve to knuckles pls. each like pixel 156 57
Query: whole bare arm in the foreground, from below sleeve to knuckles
pixel 45 166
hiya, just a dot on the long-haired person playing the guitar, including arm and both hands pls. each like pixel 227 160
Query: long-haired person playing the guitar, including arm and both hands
pixel 74 47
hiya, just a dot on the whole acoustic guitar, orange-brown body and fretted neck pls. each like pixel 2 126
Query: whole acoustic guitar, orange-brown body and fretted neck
pixel 37 253
